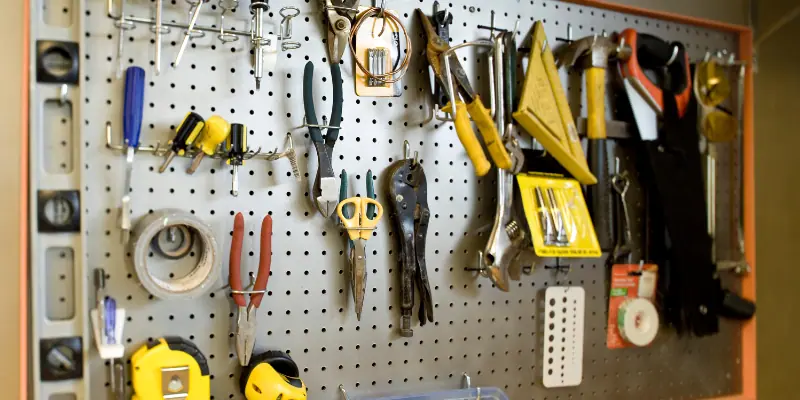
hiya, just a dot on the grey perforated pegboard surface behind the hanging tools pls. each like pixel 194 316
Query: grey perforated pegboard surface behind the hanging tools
pixel 308 310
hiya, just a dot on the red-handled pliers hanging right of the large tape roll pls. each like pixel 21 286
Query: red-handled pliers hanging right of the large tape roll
pixel 246 320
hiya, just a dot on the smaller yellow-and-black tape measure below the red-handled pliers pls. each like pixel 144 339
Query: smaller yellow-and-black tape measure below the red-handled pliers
pixel 272 375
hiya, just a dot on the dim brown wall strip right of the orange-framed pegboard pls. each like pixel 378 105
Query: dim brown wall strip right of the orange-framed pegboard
pixel 777 198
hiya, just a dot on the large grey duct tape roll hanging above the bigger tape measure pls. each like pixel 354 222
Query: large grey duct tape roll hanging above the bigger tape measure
pixel 196 283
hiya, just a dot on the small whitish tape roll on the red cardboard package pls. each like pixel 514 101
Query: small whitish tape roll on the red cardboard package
pixel 637 320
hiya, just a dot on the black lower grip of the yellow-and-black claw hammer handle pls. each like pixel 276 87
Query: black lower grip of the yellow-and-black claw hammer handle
pixel 601 195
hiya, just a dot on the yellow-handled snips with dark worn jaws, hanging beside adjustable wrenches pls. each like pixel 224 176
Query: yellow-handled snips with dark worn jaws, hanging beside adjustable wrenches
pixel 470 107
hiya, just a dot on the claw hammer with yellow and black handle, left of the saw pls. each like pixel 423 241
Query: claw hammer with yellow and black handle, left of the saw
pixel 593 53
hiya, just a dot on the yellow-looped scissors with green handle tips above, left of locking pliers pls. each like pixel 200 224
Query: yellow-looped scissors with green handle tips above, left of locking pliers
pixel 359 223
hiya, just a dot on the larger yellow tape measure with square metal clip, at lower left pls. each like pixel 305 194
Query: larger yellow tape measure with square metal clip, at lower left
pixel 173 367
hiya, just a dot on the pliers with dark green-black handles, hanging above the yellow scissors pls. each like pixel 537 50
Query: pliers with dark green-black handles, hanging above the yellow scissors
pixel 324 189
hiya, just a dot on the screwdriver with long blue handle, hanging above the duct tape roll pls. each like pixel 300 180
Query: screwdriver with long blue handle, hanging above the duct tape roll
pixel 131 128
